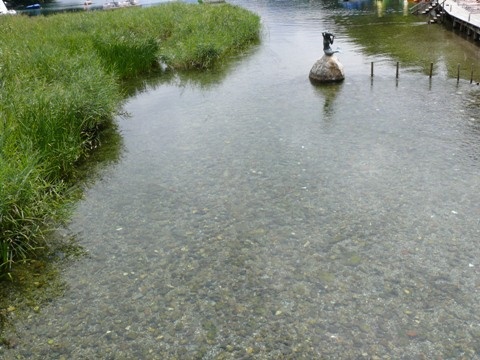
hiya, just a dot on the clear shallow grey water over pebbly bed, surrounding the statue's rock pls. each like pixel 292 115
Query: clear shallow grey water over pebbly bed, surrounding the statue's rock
pixel 253 215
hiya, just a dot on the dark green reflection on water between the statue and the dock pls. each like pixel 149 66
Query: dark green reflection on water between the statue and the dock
pixel 410 40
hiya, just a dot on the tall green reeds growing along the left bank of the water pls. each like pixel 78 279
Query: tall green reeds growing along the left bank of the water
pixel 60 86
